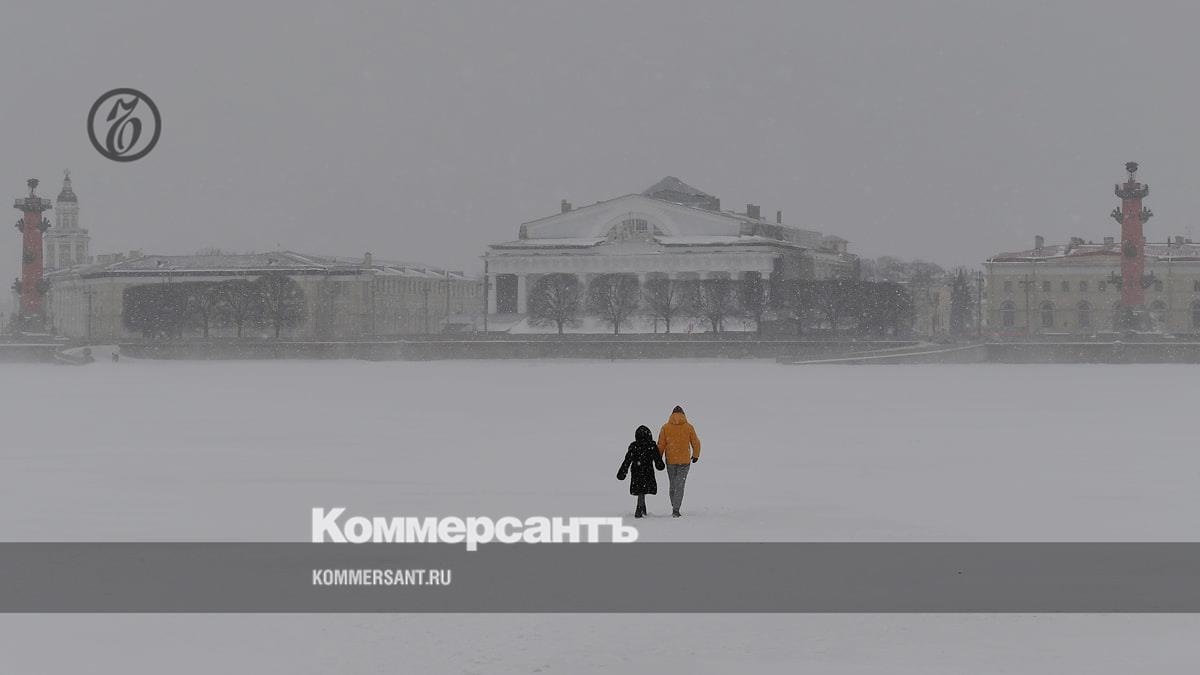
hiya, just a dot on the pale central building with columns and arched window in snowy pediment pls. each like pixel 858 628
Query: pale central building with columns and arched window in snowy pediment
pixel 673 231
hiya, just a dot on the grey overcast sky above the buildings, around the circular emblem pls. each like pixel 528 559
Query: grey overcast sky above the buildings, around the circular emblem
pixel 427 130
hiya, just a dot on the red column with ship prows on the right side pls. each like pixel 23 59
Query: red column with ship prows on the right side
pixel 1133 282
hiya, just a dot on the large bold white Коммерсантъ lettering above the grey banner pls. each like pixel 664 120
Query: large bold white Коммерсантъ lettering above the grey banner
pixel 329 527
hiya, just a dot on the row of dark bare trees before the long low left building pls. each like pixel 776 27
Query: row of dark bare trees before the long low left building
pixel 167 310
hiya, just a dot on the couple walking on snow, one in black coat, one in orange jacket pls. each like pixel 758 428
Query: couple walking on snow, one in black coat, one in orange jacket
pixel 677 445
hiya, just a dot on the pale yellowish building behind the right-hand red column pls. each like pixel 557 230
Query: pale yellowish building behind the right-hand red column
pixel 1076 288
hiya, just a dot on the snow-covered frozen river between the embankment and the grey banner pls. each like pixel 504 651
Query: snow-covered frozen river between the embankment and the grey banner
pixel 243 451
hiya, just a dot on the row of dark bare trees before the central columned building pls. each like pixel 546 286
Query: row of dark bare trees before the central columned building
pixel 879 308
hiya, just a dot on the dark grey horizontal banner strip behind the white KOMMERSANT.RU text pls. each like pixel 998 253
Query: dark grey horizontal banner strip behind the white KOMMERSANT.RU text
pixel 581 578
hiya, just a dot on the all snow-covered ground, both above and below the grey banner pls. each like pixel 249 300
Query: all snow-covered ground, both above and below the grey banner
pixel 146 451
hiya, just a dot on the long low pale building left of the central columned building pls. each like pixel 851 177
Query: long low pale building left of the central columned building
pixel 345 298
